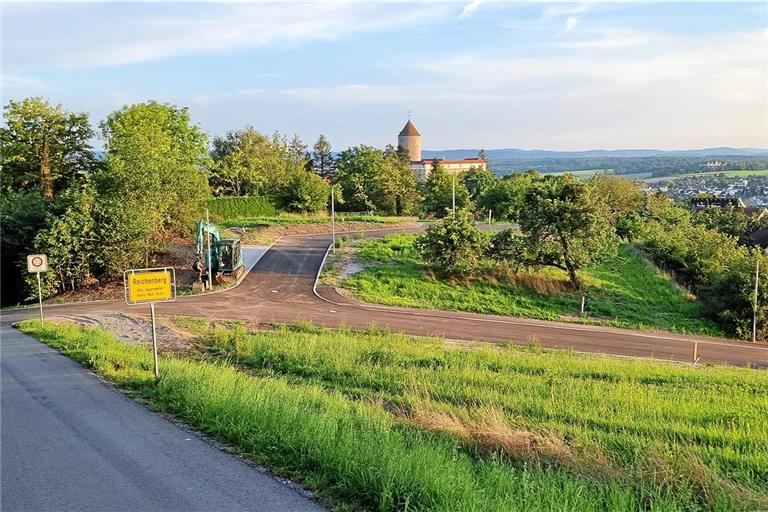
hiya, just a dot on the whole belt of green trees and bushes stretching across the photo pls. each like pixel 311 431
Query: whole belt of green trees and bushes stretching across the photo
pixel 96 217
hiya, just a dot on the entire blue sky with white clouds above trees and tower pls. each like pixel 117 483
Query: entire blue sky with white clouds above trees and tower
pixel 472 74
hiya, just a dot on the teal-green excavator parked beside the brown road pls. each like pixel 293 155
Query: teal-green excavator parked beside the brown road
pixel 226 256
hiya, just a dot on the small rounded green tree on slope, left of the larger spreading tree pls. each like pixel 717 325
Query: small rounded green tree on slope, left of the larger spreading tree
pixel 453 245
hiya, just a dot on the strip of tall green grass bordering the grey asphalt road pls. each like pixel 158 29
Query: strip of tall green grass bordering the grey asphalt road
pixel 352 451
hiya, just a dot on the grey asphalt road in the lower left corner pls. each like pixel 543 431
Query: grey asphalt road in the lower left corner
pixel 70 442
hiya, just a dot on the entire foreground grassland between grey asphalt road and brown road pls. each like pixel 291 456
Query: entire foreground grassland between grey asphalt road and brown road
pixel 384 422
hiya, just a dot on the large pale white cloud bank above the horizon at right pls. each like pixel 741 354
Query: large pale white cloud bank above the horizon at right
pixel 669 92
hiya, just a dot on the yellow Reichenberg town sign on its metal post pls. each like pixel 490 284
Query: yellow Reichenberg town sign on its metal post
pixel 150 285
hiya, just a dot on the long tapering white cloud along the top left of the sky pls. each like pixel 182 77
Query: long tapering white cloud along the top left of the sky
pixel 155 31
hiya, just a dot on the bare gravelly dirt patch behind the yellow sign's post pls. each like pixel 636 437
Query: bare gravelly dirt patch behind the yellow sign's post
pixel 134 329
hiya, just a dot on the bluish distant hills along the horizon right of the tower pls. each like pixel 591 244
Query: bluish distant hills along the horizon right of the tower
pixel 527 154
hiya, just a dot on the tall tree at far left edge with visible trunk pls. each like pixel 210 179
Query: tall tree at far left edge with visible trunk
pixel 43 146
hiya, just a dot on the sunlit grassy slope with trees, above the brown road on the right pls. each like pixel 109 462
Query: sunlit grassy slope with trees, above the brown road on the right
pixel 624 292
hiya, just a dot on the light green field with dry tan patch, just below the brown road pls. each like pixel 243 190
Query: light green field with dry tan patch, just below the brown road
pixel 698 431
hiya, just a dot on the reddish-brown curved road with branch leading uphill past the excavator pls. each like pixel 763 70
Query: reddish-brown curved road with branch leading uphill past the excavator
pixel 280 288
